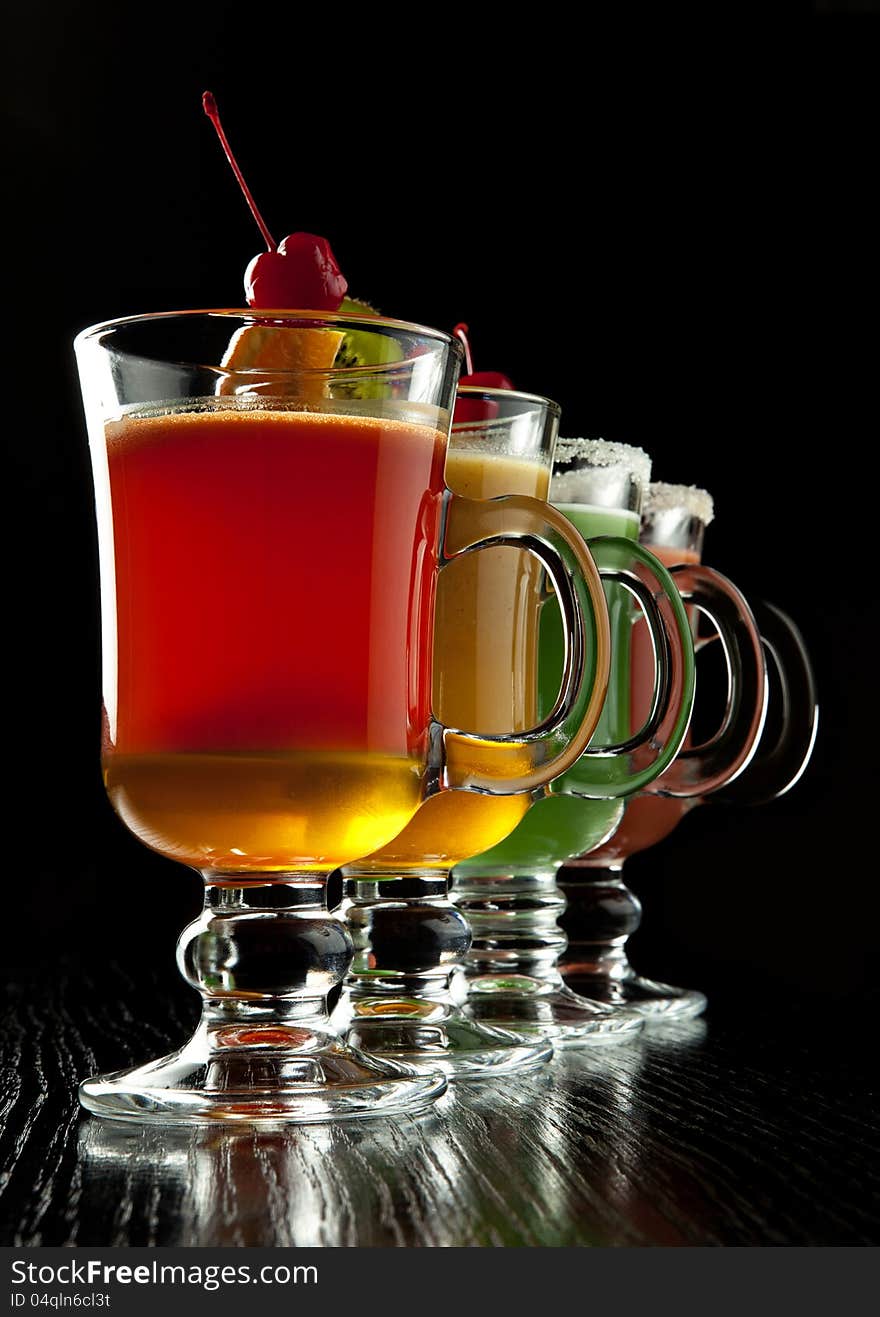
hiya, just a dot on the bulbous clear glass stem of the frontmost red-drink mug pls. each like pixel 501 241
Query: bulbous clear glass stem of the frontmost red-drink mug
pixel 264 954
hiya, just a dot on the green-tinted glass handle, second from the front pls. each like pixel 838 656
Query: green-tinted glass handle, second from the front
pixel 624 768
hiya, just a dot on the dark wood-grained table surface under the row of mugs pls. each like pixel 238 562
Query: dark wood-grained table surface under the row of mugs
pixel 759 1131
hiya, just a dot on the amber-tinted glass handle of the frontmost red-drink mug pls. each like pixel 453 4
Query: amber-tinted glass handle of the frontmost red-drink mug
pixel 510 763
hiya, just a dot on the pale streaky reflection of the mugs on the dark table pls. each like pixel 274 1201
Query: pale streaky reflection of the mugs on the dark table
pixel 562 1157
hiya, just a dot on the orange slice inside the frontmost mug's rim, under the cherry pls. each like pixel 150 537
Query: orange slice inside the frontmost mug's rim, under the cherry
pixel 279 360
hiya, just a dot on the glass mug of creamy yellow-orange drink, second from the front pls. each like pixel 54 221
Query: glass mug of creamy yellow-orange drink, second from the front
pixel 409 938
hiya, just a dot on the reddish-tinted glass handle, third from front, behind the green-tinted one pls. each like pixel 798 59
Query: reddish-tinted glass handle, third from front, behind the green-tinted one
pixel 703 770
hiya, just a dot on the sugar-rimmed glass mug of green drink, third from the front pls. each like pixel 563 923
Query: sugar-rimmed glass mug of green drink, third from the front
pixel 510 895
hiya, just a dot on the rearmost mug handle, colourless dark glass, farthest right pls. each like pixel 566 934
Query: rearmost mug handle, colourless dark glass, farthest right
pixel 787 742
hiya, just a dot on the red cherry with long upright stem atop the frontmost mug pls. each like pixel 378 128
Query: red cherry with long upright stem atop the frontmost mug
pixel 298 273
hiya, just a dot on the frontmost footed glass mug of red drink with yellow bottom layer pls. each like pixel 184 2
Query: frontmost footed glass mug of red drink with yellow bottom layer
pixel 271 529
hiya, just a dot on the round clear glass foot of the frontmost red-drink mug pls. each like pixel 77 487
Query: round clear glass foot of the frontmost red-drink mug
pixel 271 1075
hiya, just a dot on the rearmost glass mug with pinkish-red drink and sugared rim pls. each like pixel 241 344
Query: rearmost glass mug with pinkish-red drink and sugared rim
pixel 756 761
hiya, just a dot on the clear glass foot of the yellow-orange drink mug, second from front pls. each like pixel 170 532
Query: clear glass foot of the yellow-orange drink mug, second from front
pixel 437 1037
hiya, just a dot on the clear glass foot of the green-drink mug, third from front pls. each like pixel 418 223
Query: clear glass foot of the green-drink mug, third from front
pixel 530 1007
